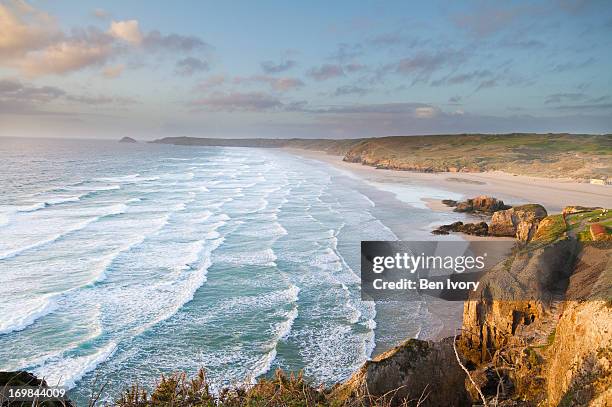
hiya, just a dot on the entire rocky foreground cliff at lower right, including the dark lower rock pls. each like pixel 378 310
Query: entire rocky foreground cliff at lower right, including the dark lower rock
pixel 537 332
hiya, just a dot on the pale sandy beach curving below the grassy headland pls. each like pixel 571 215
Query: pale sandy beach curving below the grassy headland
pixel 553 194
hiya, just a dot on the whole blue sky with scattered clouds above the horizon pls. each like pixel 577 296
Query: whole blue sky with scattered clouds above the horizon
pixel 312 69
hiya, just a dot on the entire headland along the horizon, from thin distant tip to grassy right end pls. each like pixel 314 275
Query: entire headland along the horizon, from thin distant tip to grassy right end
pixel 582 157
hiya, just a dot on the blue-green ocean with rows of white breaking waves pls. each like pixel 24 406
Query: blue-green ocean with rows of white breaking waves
pixel 120 262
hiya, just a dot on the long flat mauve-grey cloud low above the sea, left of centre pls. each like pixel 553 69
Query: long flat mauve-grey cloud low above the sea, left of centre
pixel 230 102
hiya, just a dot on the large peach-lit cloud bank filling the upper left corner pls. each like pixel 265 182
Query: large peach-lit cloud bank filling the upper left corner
pixel 32 42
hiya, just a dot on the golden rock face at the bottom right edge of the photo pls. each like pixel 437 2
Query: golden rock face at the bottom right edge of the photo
pixel 580 368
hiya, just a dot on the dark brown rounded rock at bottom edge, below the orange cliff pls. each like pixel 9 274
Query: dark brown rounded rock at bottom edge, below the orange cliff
pixel 410 371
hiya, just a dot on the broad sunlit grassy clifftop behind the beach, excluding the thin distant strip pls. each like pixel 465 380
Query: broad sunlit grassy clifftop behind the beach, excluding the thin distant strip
pixel 555 155
